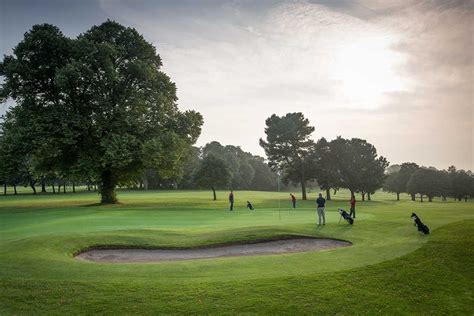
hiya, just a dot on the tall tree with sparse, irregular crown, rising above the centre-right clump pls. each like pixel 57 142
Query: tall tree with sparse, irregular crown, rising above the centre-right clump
pixel 289 148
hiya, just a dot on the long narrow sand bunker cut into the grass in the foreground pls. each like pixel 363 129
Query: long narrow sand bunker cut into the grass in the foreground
pixel 250 249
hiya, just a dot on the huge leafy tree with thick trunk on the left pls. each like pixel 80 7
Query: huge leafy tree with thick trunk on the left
pixel 98 104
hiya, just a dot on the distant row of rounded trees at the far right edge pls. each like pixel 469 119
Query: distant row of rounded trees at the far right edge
pixel 430 182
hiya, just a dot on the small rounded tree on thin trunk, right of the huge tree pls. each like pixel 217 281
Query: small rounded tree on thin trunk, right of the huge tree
pixel 213 173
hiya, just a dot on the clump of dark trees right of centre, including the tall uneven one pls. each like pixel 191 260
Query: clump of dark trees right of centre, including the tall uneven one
pixel 340 163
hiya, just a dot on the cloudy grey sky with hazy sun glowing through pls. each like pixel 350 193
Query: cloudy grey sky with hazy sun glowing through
pixel 399 74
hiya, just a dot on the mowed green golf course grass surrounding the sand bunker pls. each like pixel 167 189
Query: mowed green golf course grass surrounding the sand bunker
pixel 390 268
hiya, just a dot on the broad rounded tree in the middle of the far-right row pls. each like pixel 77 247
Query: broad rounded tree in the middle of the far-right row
pixel 426 181
